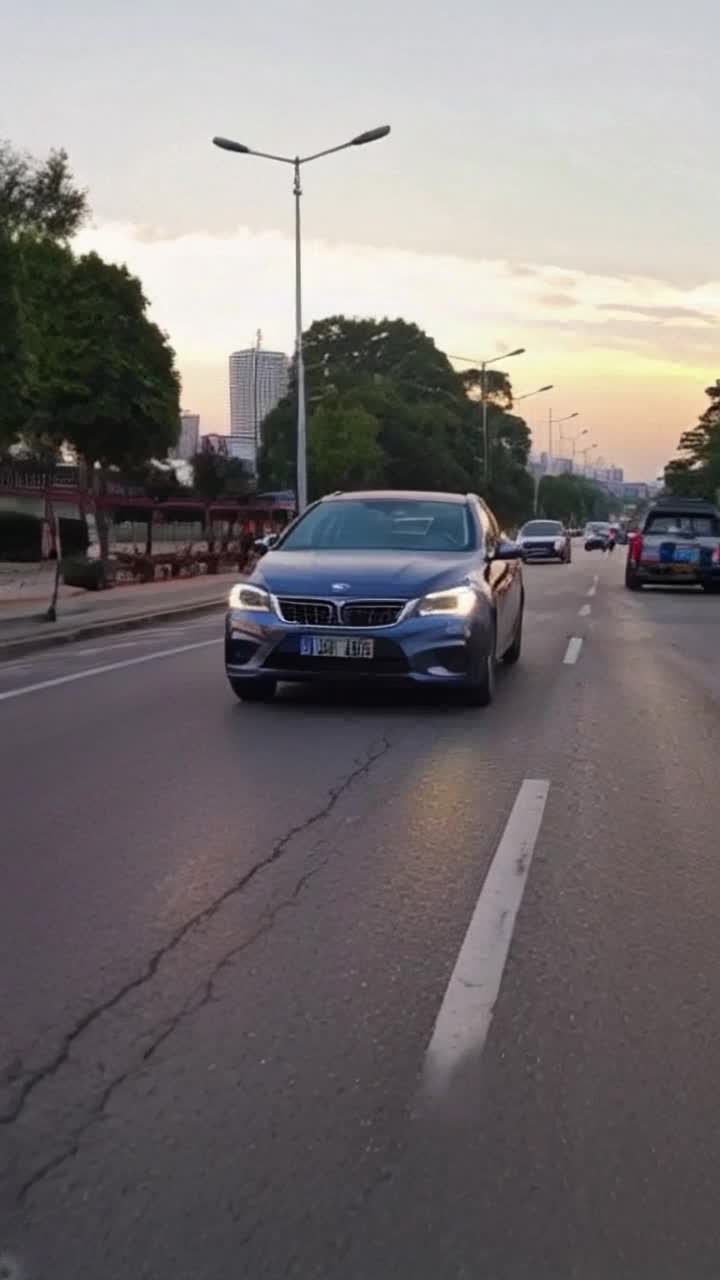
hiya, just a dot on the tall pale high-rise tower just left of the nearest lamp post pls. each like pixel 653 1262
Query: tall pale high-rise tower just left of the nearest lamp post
pixel 258 382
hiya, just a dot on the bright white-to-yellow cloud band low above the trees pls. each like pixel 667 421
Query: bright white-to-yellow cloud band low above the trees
pixel 641 383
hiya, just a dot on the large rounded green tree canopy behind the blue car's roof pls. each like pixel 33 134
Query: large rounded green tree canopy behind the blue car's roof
pixel 416 420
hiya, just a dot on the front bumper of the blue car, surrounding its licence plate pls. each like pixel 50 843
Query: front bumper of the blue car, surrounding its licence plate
pixel 422 651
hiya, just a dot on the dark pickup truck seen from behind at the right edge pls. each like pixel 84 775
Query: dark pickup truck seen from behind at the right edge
pixel 678 545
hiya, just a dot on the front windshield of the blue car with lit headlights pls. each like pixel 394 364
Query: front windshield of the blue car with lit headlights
pixel 372 524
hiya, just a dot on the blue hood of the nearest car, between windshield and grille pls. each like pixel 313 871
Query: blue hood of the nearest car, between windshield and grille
pixel 391 575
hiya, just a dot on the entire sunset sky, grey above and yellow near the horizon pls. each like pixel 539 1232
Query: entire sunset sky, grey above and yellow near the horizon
pixel 550 182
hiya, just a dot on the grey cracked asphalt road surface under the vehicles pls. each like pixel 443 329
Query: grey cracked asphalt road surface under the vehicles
pixel 345 988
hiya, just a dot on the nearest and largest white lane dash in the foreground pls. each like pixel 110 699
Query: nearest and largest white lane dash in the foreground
pixel 466 1014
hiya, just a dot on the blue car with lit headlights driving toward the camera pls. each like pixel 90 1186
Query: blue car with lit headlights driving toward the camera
pixel 402 588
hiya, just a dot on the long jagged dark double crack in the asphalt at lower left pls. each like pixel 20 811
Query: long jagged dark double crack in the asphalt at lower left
pixel 203 995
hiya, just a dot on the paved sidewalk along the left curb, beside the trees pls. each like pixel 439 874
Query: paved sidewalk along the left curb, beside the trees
pixel 83 615
